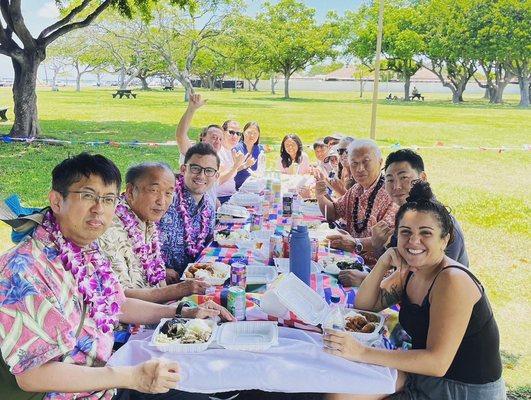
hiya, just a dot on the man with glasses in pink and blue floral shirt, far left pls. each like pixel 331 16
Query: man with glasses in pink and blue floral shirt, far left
pixel 60 300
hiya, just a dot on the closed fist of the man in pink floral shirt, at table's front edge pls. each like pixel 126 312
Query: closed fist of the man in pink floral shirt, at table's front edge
pixel 154 376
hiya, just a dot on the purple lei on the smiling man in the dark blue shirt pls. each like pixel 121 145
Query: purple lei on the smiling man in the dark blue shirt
pixel 195 240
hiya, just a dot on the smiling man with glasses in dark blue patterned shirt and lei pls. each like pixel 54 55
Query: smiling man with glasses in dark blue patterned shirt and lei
pixel 189 223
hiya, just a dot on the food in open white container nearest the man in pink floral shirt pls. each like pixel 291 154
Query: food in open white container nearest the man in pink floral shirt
pixel 179 330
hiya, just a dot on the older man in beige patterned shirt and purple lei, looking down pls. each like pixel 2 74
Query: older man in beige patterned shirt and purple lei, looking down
pixel 132 242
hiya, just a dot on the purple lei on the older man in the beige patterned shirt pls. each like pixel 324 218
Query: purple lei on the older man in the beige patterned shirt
pixel 149 254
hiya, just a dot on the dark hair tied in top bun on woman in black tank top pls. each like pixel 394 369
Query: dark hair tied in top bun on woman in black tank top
pixel 421 199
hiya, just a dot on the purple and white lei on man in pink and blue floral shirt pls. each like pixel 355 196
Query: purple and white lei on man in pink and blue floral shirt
pixel 99 289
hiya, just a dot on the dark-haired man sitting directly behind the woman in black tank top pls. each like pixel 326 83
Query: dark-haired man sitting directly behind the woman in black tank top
pixel 402 168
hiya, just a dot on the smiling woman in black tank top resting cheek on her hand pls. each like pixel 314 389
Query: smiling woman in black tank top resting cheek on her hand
pixel 444 309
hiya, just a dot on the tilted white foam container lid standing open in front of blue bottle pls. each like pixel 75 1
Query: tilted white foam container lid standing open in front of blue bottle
pixel 292 294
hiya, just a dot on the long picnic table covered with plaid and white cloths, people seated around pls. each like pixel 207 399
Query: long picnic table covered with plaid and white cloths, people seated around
pixel 297 364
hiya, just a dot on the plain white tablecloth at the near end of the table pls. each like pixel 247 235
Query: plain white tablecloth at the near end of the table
pixel 298 364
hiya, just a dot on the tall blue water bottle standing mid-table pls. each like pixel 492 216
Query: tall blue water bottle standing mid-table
pixel 300 253
